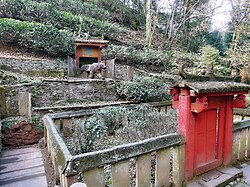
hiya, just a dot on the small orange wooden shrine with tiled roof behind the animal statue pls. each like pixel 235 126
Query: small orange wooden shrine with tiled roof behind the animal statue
pixel 88 51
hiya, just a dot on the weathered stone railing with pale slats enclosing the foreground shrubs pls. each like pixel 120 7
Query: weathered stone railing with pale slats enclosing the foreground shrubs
pixel 161 157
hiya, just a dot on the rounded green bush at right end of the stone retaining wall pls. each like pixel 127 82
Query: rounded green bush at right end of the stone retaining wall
pixel 143 89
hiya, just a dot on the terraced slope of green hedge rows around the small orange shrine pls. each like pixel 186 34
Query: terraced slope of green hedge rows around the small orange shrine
pixel 49 28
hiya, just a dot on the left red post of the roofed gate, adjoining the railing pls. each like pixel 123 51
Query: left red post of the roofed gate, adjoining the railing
pixel 186 128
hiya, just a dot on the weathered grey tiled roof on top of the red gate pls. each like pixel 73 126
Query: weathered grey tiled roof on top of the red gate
pixel 214 86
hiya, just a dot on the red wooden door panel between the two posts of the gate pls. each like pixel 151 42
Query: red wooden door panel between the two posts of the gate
pixel 209 136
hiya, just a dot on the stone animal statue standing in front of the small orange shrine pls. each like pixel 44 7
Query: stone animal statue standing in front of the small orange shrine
pixel 94 69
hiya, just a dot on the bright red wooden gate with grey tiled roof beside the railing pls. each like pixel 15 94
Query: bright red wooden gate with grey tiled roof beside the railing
pixel 205 119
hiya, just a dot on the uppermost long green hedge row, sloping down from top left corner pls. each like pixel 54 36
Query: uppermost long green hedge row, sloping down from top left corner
pixel 49 14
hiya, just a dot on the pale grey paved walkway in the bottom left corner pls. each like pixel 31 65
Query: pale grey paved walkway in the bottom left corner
pixel 22 168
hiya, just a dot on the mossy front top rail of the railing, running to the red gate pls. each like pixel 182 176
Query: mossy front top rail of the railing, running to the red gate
pixel 121 152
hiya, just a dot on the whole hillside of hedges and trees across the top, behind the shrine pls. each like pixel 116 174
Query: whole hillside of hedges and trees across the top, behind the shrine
pixel 48 29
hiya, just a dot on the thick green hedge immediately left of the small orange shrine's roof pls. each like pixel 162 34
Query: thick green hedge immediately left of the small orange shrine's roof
pixel 38 37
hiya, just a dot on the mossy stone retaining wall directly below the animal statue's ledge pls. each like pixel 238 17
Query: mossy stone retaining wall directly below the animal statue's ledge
pixel 62 92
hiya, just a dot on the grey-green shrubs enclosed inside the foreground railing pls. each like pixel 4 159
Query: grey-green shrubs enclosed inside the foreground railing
pixel 117 125
